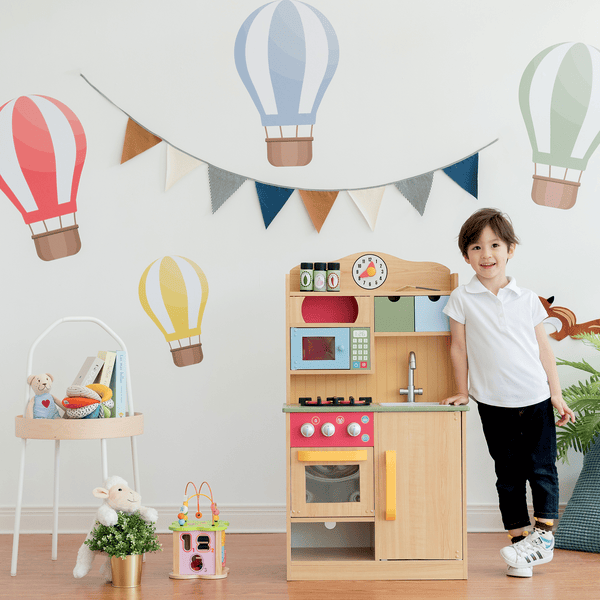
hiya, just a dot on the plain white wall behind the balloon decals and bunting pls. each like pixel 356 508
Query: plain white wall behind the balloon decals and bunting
pixel 221 420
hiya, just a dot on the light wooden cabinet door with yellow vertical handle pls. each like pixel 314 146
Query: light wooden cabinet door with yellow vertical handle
pixel 428 486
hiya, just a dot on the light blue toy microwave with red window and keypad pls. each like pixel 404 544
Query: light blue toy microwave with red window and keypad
pixel 330 348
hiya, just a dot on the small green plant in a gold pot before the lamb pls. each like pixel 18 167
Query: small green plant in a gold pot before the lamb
pixel 125 543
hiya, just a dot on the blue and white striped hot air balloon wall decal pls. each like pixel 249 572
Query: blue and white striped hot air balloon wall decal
pixel 286 54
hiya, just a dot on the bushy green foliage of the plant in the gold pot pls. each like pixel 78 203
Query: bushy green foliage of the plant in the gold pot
pixel 131 535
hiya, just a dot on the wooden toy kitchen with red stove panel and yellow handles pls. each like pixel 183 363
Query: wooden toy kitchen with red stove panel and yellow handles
pixel 376 482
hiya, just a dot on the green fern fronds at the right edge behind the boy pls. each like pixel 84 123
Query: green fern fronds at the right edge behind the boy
pixel 584 399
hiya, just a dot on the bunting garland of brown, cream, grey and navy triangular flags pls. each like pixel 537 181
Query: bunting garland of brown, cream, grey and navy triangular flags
pixel 223 184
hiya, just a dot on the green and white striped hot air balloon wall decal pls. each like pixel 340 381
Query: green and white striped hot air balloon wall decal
pixel 559 96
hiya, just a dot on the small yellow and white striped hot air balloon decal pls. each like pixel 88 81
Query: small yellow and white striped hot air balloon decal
pixel 173 291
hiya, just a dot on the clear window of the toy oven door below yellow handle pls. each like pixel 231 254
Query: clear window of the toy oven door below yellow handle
pixel 332 483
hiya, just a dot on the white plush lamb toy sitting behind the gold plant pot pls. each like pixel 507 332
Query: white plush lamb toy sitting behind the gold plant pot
pixel 117 496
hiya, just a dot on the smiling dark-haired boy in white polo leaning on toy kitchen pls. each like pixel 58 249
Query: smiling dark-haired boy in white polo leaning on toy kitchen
pixel 500 346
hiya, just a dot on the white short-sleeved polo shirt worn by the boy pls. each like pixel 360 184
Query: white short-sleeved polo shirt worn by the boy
pixel 502 351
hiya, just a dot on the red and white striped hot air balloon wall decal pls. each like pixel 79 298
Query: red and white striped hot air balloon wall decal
pixel 42 151
